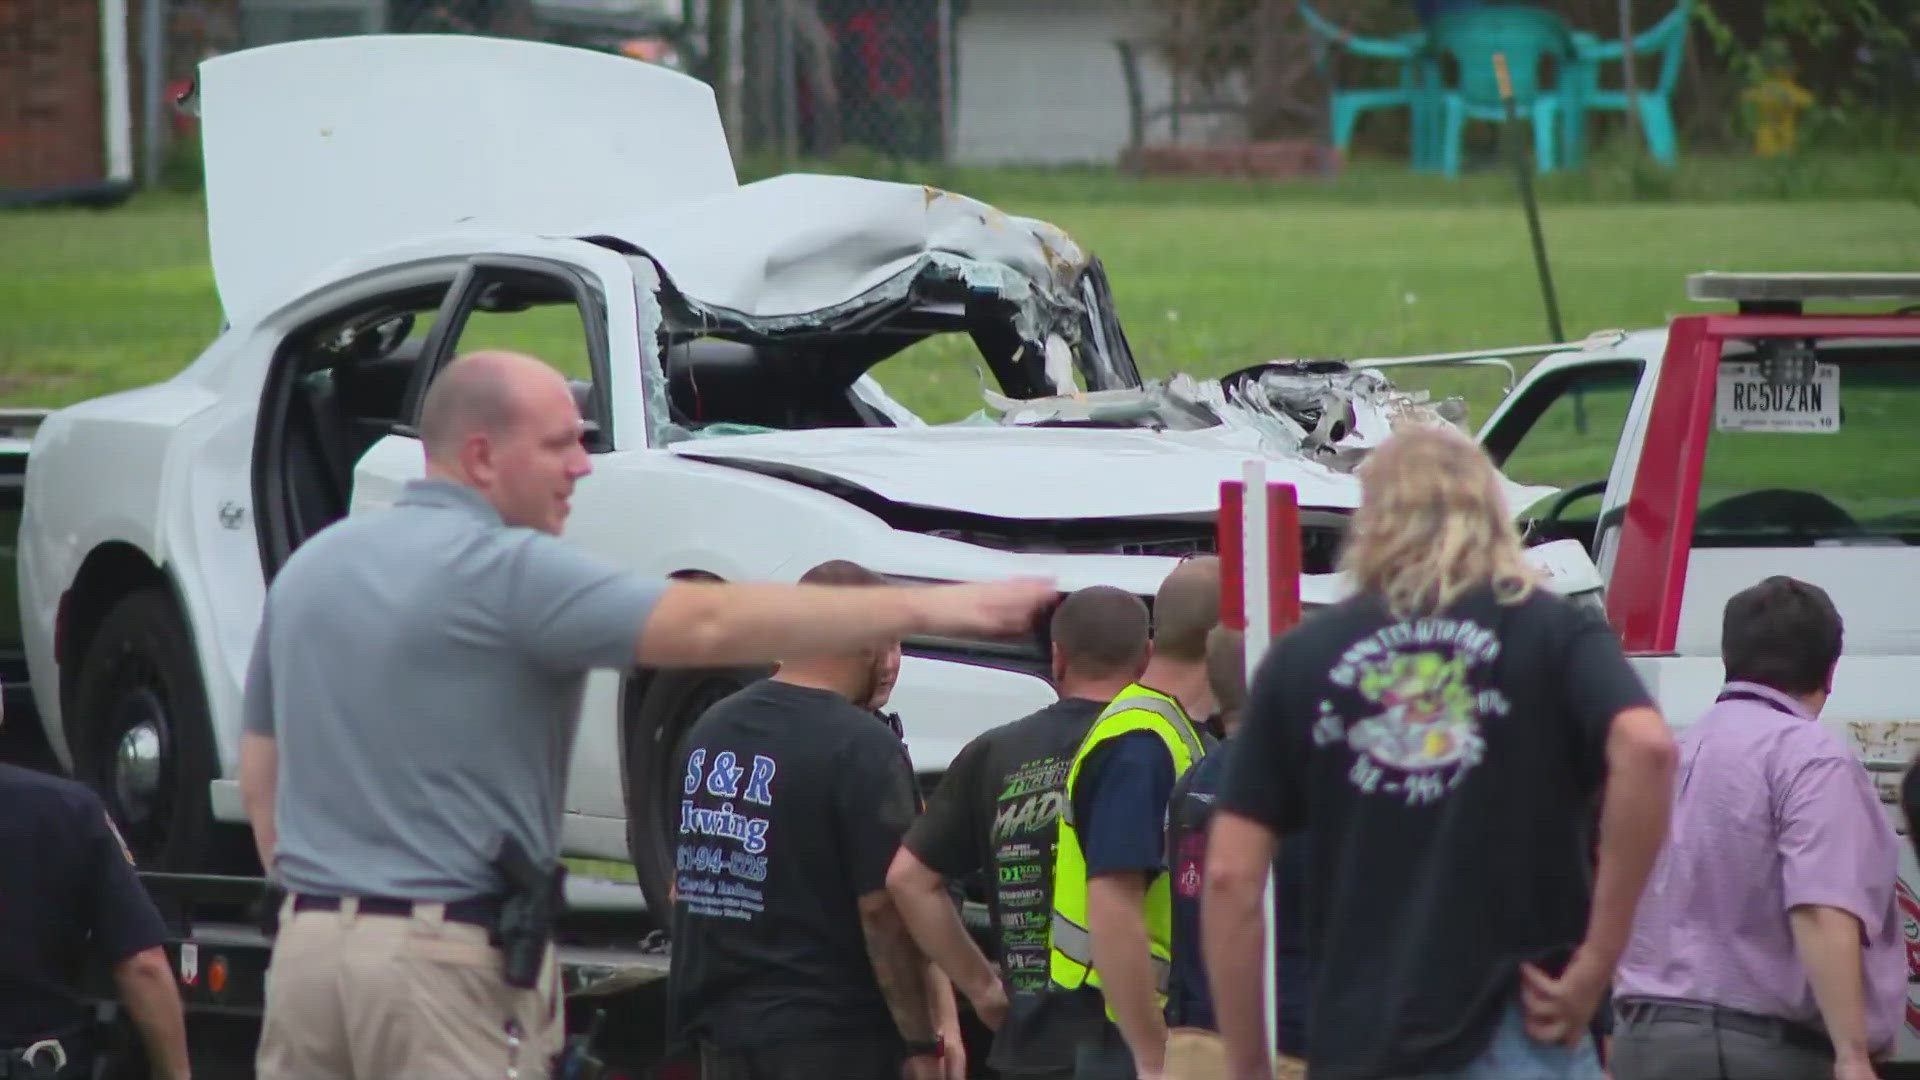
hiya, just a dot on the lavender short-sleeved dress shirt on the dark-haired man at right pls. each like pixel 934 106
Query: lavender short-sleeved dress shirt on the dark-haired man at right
pixel 1771 812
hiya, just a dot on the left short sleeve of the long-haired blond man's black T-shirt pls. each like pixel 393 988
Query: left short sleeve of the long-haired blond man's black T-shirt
pixel 1268 773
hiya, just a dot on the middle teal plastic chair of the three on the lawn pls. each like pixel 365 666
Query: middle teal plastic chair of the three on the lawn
pixel 1529 39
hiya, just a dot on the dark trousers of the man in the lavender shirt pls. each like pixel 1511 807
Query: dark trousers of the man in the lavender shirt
pixel 1706 1048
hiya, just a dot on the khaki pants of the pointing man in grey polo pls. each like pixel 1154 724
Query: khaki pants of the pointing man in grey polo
pixel 375 996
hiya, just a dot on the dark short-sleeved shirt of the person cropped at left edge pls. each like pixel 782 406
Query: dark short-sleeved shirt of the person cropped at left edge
pixel 70 895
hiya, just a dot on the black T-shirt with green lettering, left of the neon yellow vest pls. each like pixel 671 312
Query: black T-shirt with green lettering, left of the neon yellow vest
pixel 997 810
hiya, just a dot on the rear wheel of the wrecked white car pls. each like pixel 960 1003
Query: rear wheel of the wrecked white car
pixel 143 737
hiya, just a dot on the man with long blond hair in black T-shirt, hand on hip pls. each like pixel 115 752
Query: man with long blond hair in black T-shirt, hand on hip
pixel 1445 733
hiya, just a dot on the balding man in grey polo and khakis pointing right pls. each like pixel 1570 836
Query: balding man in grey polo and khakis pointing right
pixel 420 674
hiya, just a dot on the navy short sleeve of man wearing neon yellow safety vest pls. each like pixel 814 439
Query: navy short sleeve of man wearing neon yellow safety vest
pixel 1122 800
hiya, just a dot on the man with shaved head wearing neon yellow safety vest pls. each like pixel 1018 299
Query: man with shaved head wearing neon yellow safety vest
pixel 1113 921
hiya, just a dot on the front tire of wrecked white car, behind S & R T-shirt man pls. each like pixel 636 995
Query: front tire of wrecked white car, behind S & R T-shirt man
pixel 656 727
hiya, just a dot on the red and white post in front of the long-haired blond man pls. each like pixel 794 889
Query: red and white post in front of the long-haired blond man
pixel 1260 595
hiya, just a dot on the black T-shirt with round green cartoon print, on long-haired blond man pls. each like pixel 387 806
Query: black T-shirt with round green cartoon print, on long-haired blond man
pixel 1447 768
